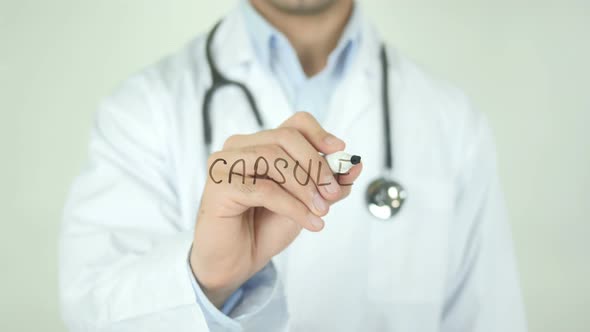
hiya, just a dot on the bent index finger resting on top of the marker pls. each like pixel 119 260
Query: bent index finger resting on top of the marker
pixel 317 136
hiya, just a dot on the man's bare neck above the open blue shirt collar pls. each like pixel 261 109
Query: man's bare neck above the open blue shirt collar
pixel 313 36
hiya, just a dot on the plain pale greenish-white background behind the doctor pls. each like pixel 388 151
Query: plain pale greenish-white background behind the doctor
pixel 524 63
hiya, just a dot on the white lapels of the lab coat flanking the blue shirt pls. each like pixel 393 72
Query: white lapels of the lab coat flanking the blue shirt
pixel 232 49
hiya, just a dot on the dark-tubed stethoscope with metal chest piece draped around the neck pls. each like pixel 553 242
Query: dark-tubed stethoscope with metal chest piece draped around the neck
pixel 384 196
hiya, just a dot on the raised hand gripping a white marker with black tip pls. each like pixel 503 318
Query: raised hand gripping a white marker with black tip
pixel 246 223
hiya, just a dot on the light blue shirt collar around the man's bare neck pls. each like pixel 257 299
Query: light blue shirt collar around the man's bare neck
pixel 266 39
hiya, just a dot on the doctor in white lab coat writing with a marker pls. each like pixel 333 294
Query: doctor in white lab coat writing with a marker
pixel 151 242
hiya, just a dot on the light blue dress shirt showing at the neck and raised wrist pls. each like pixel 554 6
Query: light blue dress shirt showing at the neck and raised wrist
pixel 310 94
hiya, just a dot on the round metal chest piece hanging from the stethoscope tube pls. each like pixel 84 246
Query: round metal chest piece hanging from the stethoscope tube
pixel 385 198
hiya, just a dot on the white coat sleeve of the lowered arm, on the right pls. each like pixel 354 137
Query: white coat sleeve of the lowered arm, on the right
pixel 483 287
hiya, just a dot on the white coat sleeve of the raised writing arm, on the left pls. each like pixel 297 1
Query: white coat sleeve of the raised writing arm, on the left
pixel 123 247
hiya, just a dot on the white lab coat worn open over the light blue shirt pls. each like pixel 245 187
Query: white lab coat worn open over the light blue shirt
pixel 445 263
